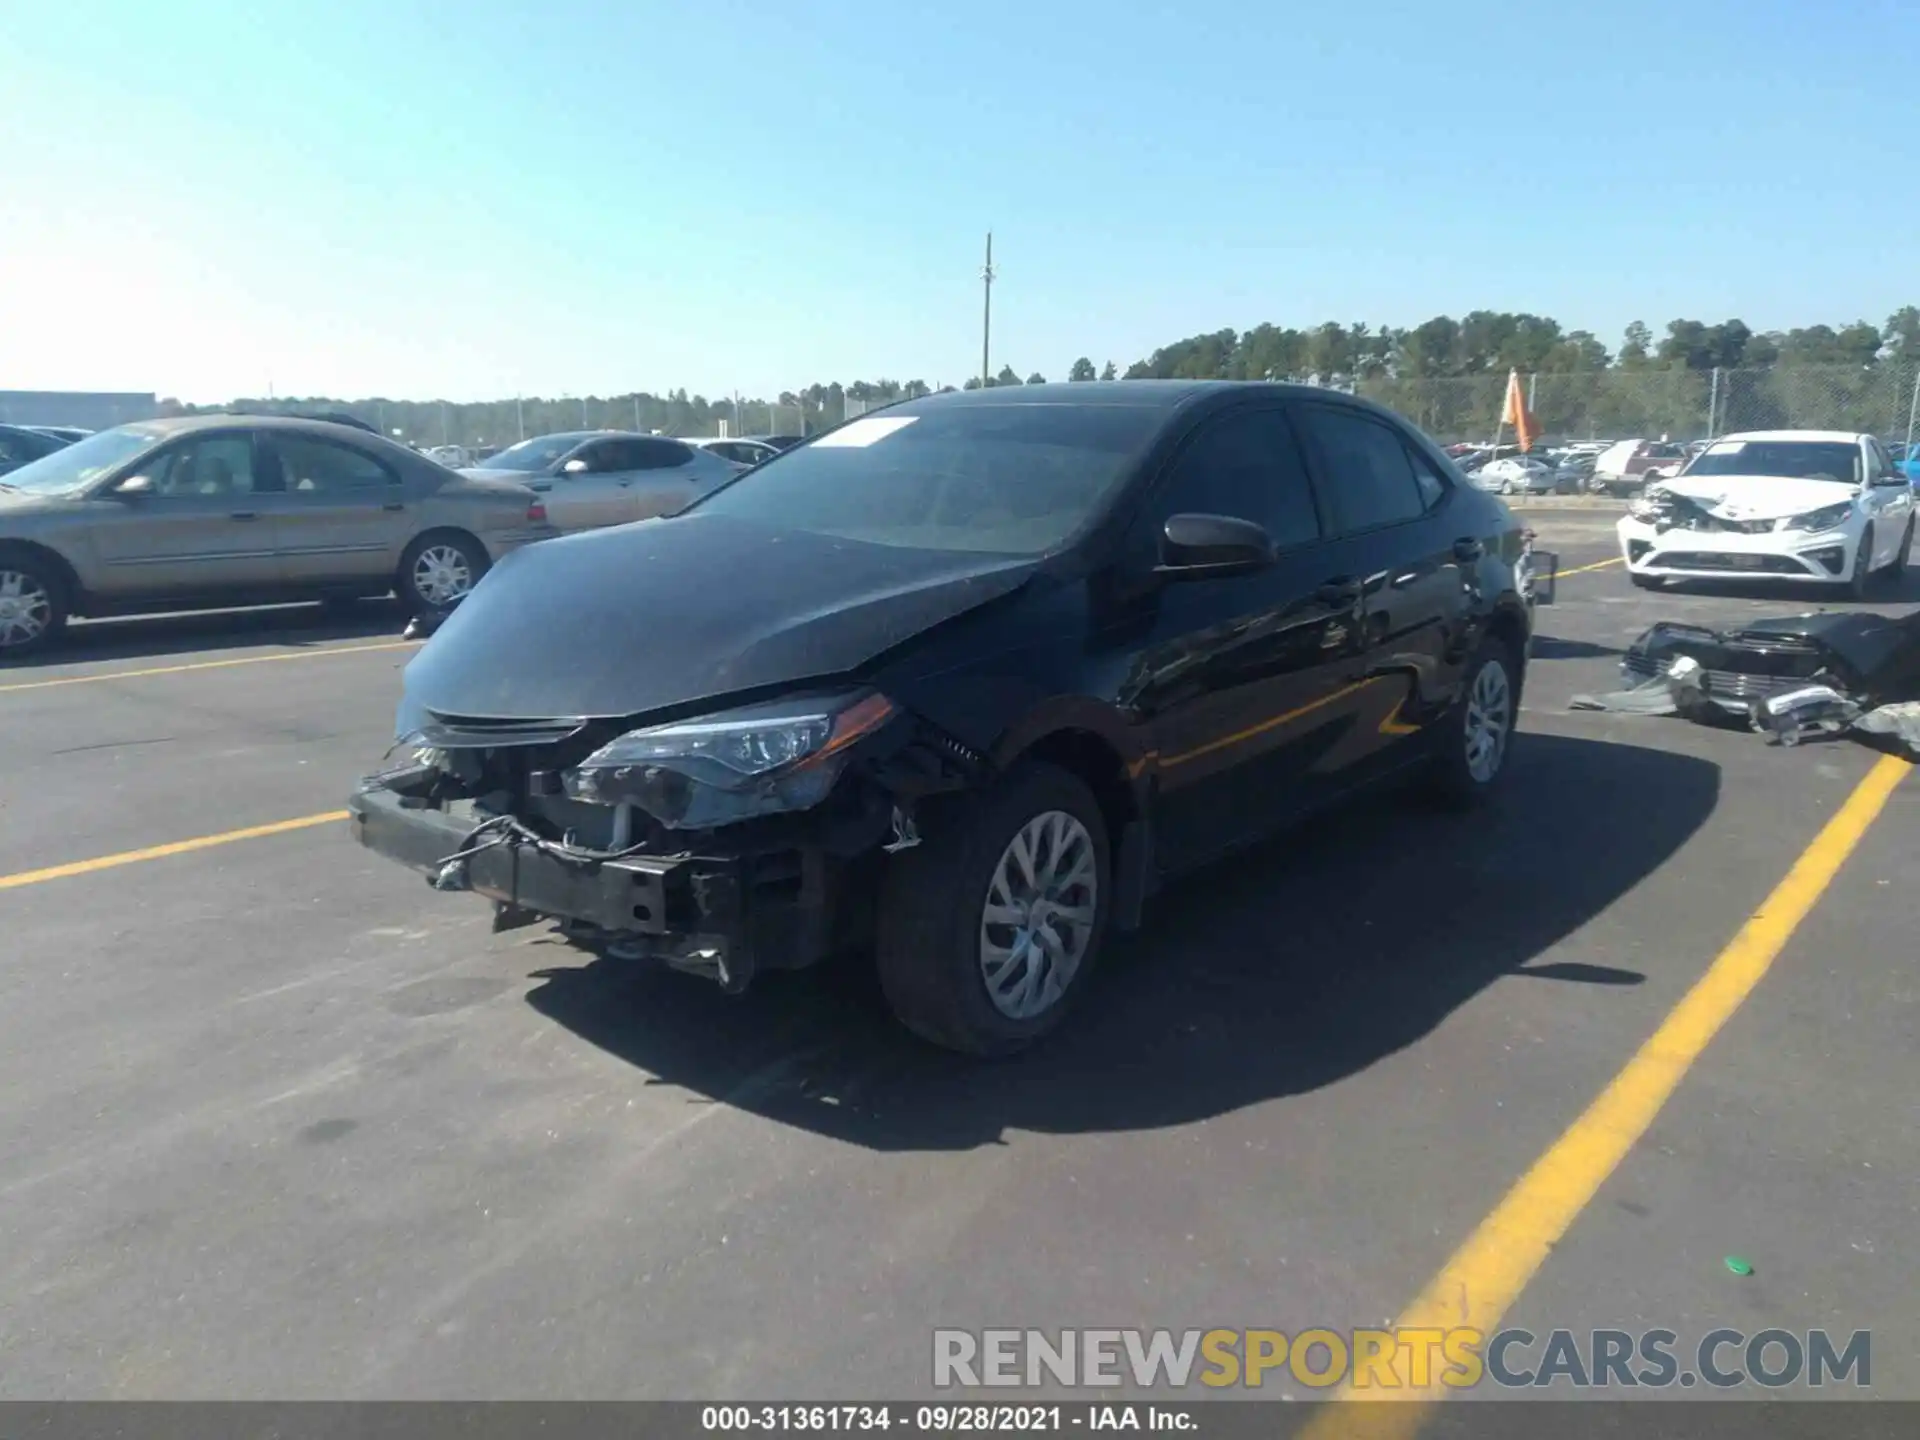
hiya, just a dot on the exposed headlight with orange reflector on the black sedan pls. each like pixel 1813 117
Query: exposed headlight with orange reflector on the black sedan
pixel 721 769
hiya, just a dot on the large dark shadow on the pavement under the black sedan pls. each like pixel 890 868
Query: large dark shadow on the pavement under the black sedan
pixel 1280 972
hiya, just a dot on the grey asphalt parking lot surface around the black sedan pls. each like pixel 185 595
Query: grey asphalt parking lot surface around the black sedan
pixel 281 1122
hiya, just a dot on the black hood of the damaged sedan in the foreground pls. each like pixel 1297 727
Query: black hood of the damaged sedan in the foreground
pixel 644 617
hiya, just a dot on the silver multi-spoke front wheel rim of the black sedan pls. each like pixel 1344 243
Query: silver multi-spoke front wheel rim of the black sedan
pixel 1038 921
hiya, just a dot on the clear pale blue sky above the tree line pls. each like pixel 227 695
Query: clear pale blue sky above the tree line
pixel 588 199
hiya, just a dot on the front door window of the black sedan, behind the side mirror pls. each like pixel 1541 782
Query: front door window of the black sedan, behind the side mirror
pixel 1245 466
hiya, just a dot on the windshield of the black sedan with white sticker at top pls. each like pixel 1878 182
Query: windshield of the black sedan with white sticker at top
pixel 992 479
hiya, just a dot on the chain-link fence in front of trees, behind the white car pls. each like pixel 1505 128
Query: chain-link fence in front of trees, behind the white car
pixel 1620 404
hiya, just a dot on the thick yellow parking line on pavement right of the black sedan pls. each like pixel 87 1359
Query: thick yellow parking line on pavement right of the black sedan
pixel 1497 1262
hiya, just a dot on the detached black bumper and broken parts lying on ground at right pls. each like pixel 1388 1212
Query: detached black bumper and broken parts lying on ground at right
pixel 1790 679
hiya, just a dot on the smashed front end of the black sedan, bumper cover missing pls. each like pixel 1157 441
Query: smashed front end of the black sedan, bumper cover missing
pixel 719 844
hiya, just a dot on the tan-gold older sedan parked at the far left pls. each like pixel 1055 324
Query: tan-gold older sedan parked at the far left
pixel 241 510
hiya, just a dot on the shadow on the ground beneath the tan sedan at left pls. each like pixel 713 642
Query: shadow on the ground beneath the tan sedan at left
pixel 149 636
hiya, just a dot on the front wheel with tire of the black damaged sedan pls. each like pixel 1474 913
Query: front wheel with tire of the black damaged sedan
pixel 992 926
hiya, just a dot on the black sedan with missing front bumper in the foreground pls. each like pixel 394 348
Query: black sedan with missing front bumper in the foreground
pixel 961 686
